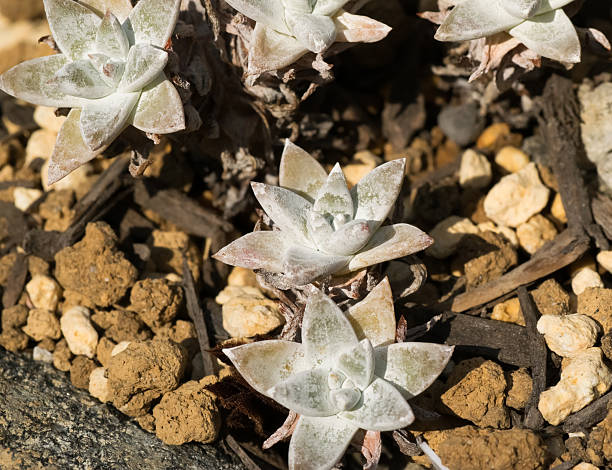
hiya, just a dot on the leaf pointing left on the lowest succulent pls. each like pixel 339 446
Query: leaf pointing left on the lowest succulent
pixel 264 364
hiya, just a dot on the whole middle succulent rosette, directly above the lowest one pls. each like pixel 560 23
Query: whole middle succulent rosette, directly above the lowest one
pixel 325 228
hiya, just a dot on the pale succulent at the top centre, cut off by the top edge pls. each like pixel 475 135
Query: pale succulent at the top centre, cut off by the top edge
pixel 285 30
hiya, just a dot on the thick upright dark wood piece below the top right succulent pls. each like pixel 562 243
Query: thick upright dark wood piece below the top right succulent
pixel 561 124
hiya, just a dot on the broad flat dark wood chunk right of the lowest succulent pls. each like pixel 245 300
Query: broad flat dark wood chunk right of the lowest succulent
pixel 493 339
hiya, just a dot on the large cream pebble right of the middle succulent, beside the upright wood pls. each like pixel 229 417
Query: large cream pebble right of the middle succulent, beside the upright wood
pixel 516 197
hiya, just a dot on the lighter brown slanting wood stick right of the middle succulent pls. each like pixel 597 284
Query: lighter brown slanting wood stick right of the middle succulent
pixel 556 254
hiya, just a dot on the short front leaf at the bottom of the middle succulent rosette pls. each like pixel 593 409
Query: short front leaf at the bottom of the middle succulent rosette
pixel 302 265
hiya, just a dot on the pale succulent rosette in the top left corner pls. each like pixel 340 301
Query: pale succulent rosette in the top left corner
pixel 110 72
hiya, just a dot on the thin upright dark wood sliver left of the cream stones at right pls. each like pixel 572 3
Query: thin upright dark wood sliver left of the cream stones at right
pixel 539 355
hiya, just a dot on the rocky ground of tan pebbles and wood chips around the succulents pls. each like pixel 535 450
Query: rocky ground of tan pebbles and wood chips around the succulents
pixel 108 286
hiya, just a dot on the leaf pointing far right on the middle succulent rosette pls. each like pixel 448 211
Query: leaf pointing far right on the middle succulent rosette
pixel 390 242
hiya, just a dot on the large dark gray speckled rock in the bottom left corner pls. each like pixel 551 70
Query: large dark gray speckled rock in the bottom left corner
pixel 47 423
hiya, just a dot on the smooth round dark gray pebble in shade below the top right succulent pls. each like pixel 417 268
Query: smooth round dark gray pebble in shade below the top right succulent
pixel 461 123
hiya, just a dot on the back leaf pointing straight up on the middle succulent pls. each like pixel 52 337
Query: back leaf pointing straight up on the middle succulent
pixel 300 172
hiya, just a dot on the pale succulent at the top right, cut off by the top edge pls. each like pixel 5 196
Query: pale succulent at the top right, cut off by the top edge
pixel 541 25
